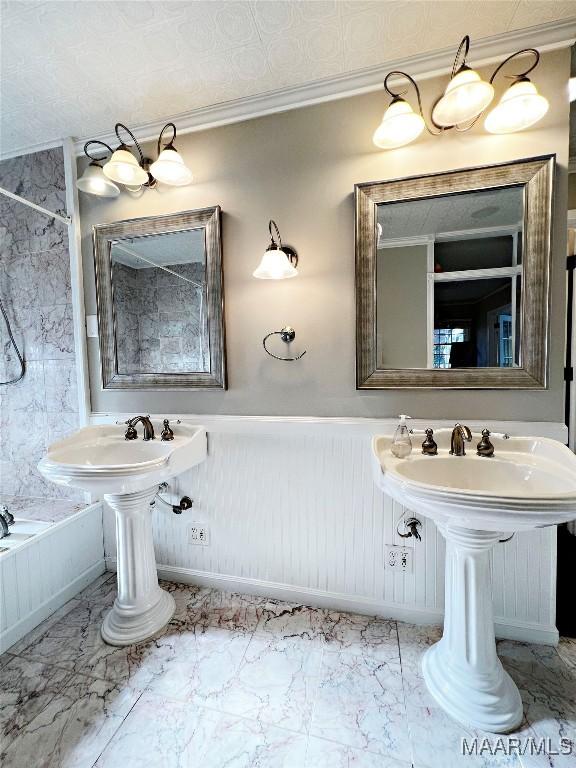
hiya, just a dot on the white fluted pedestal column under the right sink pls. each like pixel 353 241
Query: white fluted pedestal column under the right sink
pixel 462 671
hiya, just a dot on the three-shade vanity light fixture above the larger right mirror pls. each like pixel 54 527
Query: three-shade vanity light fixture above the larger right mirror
pixel 465 99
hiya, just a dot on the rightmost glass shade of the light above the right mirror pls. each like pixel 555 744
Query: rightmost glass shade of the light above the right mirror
pixel 520 107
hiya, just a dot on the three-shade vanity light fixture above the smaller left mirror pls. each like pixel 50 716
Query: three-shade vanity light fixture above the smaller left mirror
pixel 131 170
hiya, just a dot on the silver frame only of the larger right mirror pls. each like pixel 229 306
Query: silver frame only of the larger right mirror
pixel 536 176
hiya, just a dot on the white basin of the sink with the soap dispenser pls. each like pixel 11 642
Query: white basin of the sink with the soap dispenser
pixel 528 483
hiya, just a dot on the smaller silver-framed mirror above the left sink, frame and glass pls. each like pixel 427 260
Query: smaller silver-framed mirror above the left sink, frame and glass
pixel 160 301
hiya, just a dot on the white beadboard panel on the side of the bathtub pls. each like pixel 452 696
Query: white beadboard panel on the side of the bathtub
pixel 42 574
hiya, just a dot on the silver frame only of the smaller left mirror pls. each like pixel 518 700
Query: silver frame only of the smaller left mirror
pixel 104 236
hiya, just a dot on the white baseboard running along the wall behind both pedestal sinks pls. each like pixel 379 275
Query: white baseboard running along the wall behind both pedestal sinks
pixel 506 629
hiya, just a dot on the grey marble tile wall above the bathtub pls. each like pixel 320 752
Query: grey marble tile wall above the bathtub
pixel 36 292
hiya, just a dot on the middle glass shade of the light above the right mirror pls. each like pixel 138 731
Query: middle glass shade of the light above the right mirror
pixel 466 95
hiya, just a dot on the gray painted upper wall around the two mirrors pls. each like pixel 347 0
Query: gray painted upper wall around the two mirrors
pixel 300 168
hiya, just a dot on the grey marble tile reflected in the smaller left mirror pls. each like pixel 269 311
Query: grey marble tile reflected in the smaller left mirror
pixel 161 325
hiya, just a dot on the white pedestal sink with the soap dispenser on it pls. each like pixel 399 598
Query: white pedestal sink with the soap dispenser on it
pixel 475 502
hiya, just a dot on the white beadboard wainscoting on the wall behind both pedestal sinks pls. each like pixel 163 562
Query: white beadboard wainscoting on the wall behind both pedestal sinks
pixel 293 512
